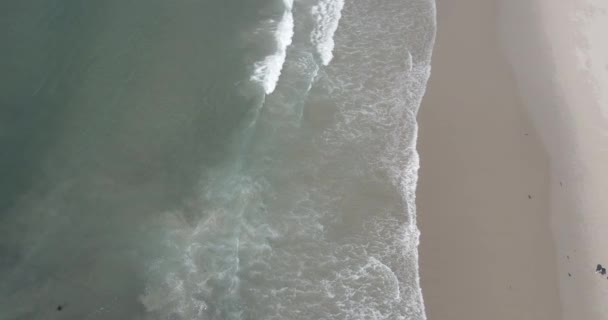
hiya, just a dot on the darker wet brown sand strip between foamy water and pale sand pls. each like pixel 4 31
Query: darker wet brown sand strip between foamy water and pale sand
pixel 483 197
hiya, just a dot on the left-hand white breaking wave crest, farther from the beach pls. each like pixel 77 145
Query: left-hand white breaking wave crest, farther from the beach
pixel 268 71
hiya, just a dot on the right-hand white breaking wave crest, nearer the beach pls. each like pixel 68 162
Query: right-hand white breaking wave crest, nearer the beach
pixel 327 14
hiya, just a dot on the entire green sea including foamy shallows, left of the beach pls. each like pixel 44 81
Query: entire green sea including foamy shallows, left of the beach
pixel 207 159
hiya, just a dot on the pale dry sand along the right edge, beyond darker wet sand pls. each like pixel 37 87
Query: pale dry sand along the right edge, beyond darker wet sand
pixel 561 66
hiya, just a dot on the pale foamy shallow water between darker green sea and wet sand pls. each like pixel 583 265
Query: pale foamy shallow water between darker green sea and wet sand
pixel 320 222
